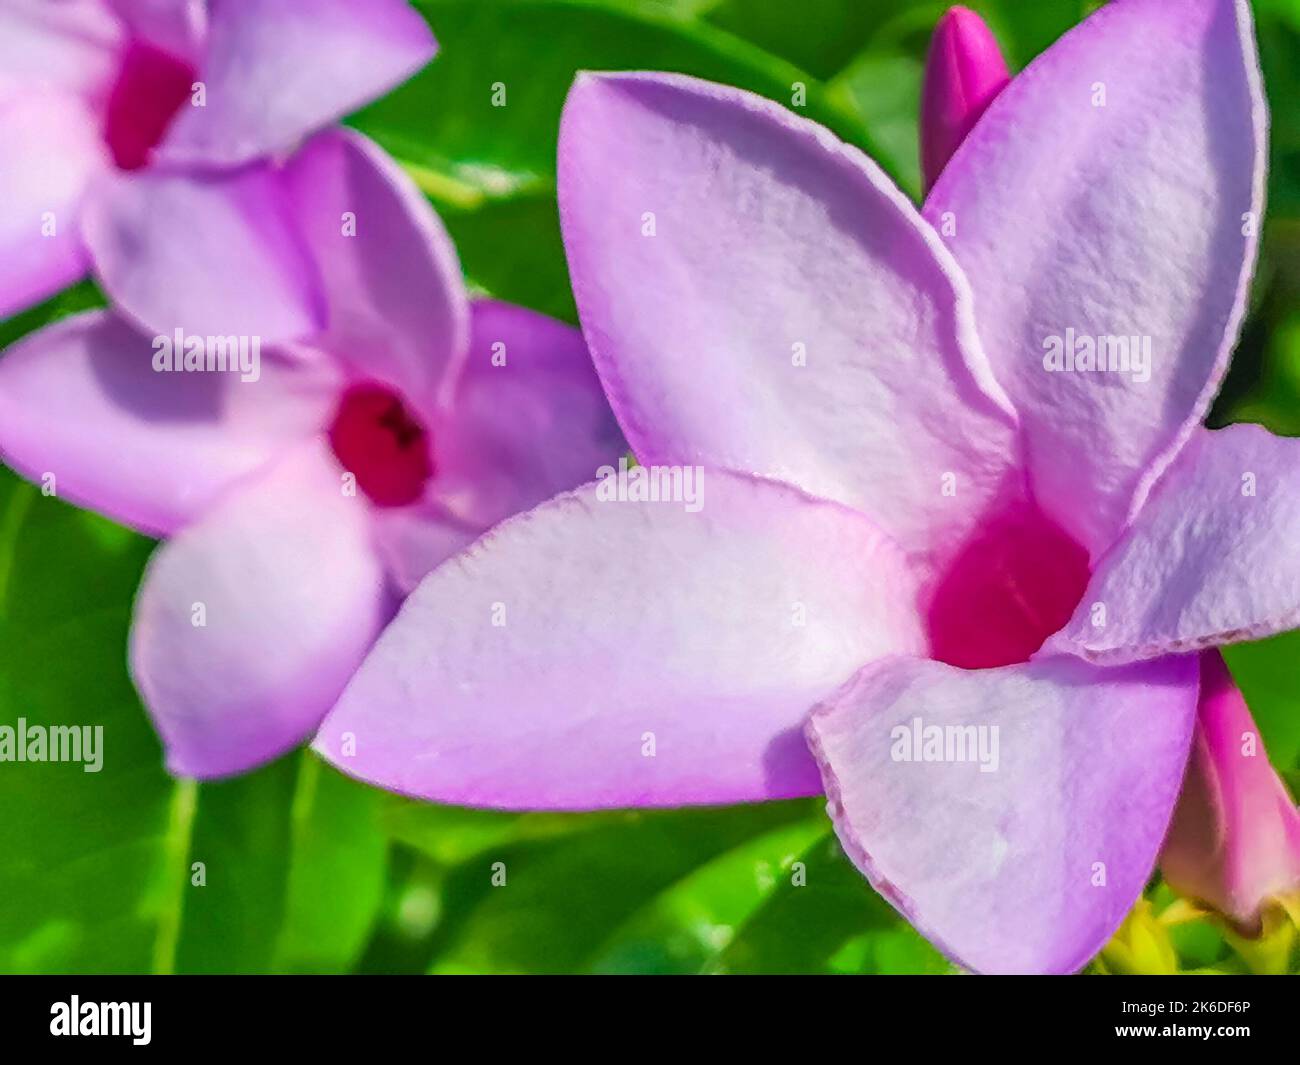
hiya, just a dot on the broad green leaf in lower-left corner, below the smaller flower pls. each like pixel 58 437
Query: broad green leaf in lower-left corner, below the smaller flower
pixel 99 868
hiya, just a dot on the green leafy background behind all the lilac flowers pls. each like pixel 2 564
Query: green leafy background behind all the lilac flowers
pixel 310 872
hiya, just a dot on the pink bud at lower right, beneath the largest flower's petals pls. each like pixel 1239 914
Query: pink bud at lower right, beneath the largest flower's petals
pixel 1236 839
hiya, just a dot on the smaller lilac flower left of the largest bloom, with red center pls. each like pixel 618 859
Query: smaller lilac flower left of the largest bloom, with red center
pixel 304 503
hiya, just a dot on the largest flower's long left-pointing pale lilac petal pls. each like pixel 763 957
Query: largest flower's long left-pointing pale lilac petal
pixel 597 653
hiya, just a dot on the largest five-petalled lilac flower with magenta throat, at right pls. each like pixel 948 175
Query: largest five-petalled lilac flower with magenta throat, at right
pixel 915 480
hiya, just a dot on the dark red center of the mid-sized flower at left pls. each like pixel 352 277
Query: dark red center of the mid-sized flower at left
pixel 382 444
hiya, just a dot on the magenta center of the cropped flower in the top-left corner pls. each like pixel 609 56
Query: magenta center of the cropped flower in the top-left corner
pixel 151 88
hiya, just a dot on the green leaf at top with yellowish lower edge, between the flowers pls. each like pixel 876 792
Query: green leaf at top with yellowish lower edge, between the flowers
pixel 467 145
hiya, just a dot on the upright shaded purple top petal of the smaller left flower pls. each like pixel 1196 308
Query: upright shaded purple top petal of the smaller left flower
pixel 397 305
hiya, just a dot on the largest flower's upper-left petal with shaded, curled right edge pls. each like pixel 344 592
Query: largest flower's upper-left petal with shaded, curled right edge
pixel 759 296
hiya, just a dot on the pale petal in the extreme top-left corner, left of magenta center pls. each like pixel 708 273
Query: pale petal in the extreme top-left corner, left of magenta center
pixel 71 46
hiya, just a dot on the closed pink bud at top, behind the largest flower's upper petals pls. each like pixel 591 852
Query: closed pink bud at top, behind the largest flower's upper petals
pixel 964 73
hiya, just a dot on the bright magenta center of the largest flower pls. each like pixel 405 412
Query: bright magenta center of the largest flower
pixel 1009 590
